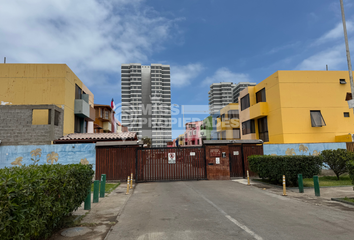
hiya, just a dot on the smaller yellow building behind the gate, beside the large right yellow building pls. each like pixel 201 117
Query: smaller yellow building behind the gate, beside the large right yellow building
pixel 228 125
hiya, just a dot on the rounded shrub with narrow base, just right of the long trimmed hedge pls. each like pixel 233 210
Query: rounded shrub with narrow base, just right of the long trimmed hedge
pixel 337 160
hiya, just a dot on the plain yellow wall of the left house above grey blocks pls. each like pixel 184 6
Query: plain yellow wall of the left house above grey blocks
pixel 31 84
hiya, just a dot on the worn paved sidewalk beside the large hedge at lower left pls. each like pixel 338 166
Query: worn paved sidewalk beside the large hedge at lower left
pixel 99 220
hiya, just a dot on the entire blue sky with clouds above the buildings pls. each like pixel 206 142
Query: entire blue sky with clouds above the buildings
pixel 204 41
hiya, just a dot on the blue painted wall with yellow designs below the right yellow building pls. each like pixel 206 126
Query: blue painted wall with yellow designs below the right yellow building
pixel 300 148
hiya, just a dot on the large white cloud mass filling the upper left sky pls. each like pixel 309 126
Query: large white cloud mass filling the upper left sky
pixel 94 37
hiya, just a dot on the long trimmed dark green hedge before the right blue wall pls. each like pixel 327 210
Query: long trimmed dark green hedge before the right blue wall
pixel 274 167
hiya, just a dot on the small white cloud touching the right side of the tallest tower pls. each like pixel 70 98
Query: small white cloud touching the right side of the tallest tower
pixel 183 75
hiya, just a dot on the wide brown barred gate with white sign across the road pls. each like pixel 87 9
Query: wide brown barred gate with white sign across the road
pixel 153 164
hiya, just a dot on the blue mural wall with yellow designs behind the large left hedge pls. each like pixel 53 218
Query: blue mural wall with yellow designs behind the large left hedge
pixel 47 154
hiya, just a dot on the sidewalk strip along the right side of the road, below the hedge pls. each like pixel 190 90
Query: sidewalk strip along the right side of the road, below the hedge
pixel 309 194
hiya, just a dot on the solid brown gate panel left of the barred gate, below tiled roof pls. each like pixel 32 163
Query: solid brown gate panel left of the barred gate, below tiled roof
pixel 116 162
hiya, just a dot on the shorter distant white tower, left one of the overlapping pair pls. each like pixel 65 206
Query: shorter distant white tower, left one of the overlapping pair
pixel 220 95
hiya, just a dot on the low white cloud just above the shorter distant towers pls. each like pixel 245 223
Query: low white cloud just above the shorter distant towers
pixel 225 75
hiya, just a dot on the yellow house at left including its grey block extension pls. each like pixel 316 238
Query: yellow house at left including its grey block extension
pixel 46 100
